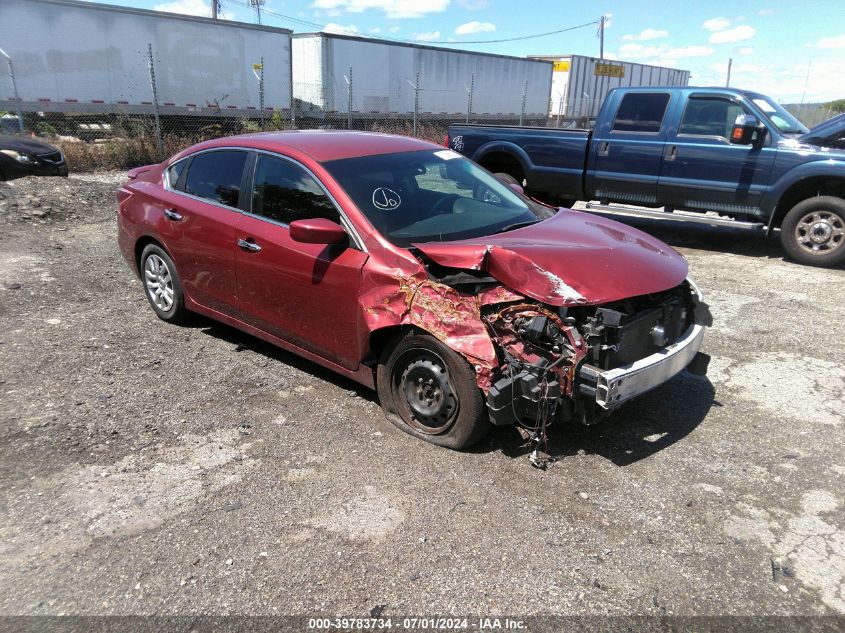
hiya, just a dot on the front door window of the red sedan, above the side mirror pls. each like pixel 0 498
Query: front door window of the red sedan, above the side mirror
pixel 285 192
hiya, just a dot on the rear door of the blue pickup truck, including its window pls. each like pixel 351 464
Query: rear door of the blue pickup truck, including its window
pixel 627 151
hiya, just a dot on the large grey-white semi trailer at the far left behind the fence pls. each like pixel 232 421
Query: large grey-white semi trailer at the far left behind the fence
pixel 71 56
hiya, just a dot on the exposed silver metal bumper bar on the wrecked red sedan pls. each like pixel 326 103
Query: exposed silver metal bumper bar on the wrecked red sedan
pixel 612 387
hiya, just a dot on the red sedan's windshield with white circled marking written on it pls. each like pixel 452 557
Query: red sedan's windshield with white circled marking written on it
pixel 430 196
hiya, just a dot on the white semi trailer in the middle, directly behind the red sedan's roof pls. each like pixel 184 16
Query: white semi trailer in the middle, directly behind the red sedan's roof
pixel 394 78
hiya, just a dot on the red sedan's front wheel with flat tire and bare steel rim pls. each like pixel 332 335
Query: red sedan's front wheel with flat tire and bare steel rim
pixel 429 391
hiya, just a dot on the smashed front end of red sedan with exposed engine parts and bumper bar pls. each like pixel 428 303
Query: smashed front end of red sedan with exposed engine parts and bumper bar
pixel 557 363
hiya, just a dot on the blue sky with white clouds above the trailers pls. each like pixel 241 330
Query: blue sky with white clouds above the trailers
pixel 792 51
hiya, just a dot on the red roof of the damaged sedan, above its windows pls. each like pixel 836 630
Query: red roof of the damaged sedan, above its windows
pixel 323 145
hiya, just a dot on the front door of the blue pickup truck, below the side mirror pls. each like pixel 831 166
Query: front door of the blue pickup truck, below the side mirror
pixel 703 171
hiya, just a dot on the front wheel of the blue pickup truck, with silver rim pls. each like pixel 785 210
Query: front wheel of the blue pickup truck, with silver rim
pixel 813 232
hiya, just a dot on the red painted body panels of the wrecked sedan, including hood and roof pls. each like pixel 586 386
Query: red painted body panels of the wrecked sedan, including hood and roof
pixel 324 301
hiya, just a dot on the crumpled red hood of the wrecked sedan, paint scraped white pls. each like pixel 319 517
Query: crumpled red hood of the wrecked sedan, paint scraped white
pixel 570 259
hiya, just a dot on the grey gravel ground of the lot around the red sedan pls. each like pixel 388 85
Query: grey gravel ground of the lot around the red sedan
pixel 148 468
